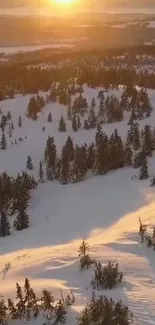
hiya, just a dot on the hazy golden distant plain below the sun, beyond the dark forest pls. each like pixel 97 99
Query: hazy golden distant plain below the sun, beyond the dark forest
pixel 93 31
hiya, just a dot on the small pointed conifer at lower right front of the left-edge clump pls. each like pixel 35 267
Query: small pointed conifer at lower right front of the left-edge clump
pixel 22 220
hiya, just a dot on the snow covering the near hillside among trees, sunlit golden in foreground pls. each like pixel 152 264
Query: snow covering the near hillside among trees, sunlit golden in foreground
pixel 104 210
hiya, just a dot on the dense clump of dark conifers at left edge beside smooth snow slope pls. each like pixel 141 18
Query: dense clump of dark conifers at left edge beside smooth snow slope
pixel 14 200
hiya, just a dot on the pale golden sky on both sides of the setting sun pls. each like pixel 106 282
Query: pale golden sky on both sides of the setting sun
pixel 147 6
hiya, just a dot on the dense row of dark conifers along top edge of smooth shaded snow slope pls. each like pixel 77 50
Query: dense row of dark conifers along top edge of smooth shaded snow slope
pixel 102 156
